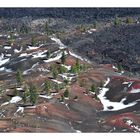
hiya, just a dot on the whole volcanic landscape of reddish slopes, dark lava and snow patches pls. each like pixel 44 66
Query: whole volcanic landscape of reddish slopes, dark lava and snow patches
pixel 70 75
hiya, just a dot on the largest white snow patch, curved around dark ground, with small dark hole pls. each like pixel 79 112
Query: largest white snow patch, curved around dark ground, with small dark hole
pixel 116 105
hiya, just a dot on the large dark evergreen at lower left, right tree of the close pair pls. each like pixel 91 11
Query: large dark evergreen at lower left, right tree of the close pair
pixel 33 94
